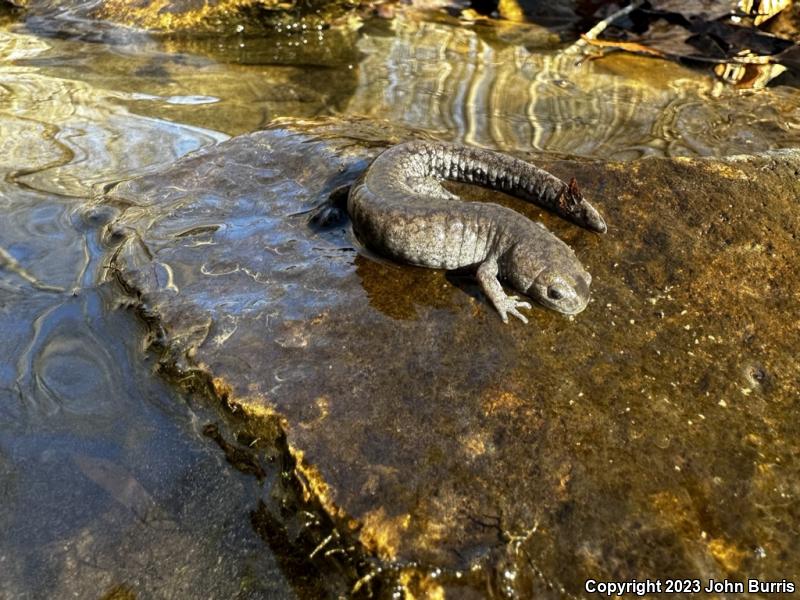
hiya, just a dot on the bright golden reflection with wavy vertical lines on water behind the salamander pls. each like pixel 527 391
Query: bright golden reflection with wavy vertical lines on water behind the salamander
pixel 474 87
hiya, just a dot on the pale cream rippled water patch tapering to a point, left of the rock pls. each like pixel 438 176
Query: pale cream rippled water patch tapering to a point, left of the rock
pixel 66 136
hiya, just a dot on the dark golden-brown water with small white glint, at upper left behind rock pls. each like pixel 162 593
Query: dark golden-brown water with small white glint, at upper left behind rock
pixel 233 85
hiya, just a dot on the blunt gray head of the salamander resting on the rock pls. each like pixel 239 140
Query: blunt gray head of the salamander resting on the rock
pixel 551 275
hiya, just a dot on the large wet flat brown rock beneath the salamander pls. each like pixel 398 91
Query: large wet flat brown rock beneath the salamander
pixel 653 435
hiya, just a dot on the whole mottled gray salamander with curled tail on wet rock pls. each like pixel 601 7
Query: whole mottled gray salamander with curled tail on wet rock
pixel 400 209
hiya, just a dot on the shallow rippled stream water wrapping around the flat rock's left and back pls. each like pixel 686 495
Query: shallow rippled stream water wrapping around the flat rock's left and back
pixel 108 483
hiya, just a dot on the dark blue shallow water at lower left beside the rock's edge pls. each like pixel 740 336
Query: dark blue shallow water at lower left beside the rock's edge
pixel 108 485
